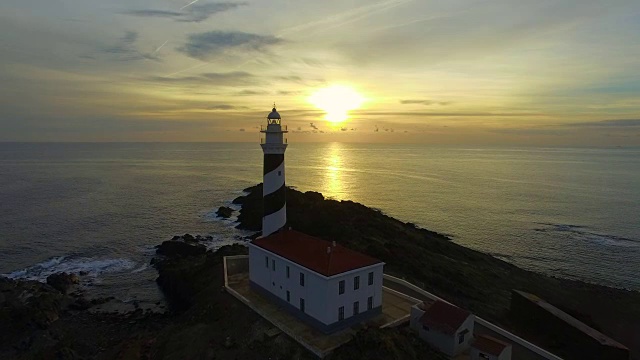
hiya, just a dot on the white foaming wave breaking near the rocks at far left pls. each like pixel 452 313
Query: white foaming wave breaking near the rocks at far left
pixel 88 266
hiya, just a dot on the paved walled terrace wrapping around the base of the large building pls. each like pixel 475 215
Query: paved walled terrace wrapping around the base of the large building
pixel 395 310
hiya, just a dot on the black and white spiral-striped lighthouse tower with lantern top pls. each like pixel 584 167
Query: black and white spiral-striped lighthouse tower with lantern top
pixel 274 198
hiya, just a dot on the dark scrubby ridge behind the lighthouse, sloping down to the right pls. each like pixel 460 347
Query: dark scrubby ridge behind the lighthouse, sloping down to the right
pixel 473 280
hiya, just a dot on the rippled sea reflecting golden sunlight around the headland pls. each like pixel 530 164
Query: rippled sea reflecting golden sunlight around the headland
pixel 100 208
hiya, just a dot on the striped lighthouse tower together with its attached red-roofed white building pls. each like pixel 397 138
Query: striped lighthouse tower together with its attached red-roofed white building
pixel 324 284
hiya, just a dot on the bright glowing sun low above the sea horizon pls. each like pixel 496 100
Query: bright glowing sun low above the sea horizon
pixel 336 101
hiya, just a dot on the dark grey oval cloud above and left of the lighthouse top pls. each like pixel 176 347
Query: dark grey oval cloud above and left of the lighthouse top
pixel 204 46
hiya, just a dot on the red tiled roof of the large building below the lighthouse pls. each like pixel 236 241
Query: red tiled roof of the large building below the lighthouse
pixel 311 252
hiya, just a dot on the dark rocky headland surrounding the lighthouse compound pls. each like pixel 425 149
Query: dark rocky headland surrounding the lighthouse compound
pixel 56 321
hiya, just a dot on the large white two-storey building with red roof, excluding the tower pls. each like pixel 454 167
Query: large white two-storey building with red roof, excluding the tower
pixel 327 285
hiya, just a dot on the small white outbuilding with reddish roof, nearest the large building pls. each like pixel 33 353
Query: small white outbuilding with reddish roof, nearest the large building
pixel 446 327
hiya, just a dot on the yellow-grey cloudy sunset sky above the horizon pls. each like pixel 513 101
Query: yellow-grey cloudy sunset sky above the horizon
pixel 485 72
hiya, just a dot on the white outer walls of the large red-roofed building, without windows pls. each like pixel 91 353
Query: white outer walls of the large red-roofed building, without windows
pixel 322 299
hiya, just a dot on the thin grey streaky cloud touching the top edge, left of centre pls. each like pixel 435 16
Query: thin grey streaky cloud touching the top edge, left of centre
pixel 193 13
